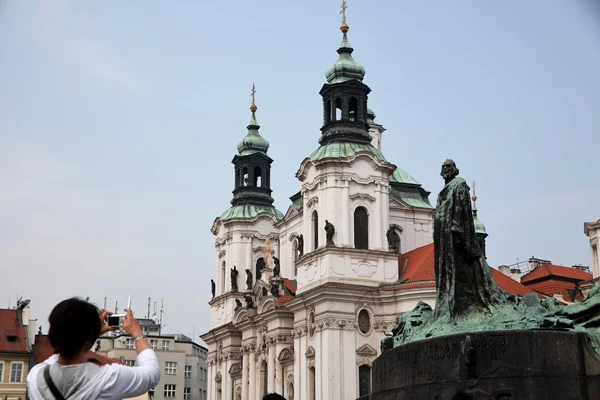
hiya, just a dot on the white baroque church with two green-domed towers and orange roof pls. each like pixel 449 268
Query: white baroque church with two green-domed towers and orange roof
pixel 301 300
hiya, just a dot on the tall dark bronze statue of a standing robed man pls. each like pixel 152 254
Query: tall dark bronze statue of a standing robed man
pixel 464 281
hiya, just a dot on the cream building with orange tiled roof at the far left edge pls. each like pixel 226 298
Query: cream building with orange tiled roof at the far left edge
pixel 16 330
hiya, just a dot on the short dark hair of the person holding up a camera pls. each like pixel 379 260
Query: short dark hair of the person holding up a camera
pixel 74 326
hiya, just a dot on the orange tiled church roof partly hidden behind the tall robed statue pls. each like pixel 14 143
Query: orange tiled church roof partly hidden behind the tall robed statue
pixel 416 270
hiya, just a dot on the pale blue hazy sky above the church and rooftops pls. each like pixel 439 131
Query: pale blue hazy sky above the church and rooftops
pixel 119 120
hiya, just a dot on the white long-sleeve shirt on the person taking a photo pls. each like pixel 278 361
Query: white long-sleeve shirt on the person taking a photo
pixel 89 381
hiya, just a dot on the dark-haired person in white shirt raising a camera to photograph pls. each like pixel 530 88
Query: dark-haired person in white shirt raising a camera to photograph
pixel 75 325
